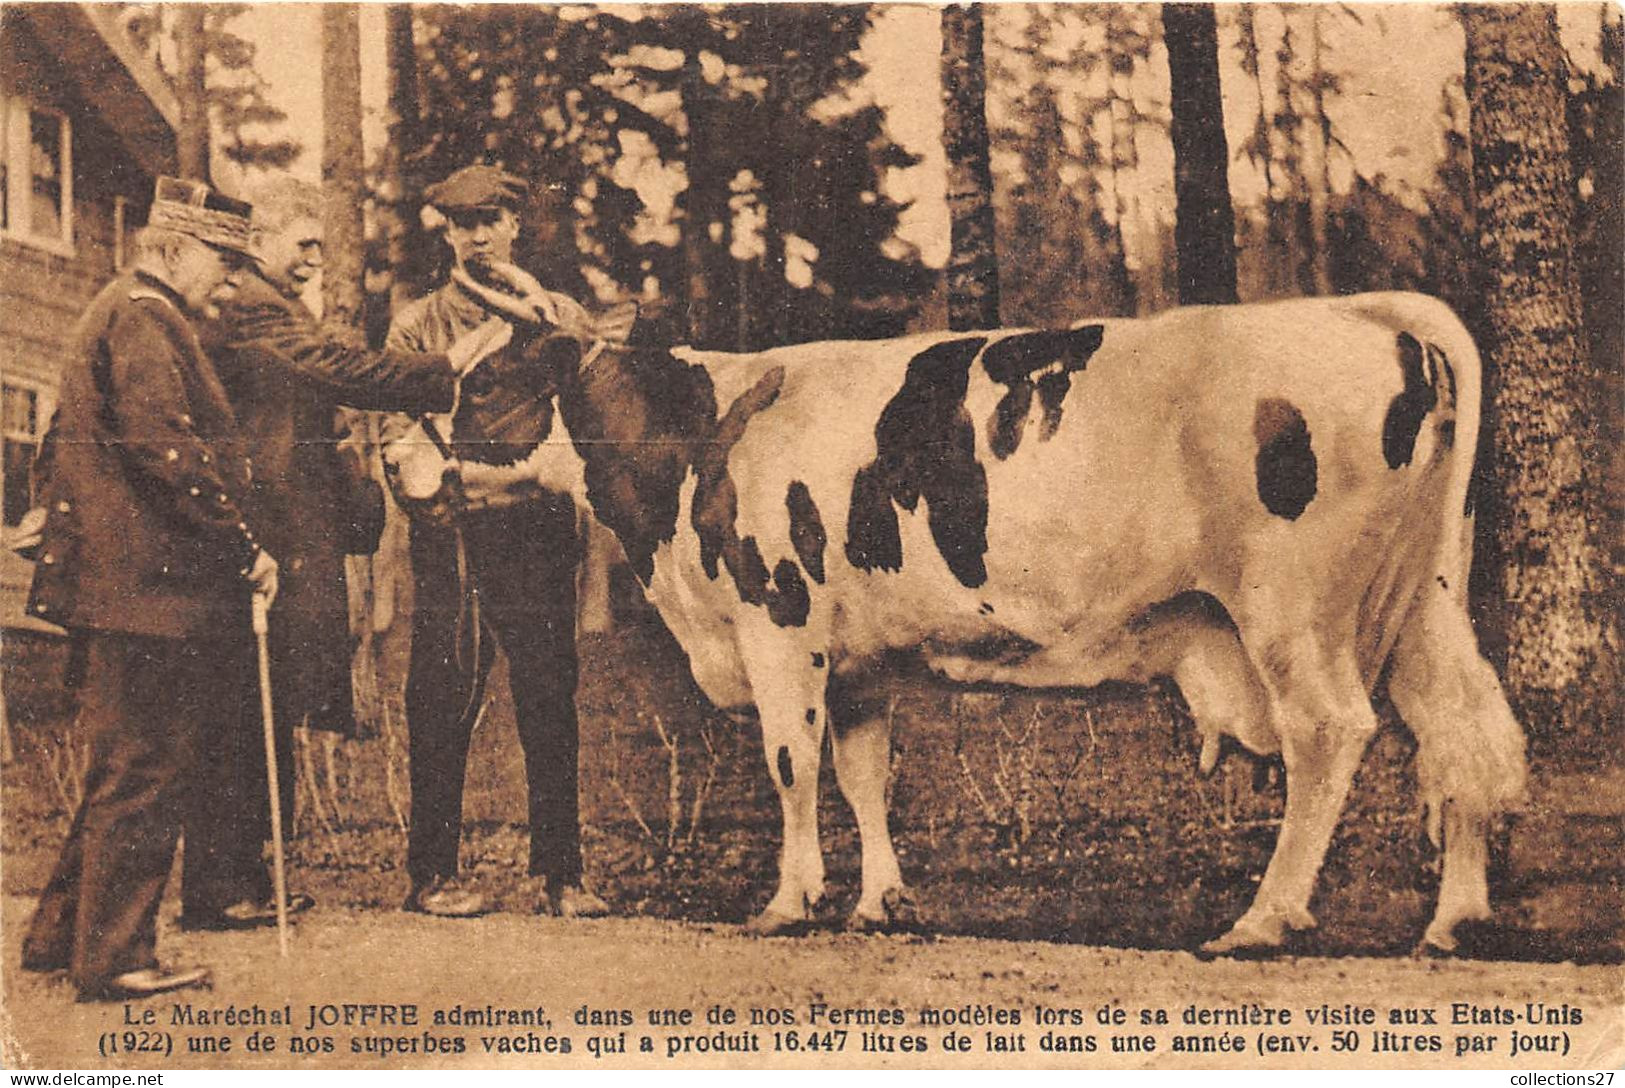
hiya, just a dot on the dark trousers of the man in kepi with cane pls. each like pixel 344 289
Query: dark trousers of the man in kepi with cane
pixel 145 707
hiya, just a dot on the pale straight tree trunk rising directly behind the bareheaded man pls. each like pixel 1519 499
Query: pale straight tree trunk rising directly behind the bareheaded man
pixel 344 179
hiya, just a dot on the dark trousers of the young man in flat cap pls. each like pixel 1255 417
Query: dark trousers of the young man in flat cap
pixel 522 564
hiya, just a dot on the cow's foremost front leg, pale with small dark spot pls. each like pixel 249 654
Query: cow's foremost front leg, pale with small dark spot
pixel 789 693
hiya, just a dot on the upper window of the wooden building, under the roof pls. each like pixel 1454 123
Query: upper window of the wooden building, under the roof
pixel 38 176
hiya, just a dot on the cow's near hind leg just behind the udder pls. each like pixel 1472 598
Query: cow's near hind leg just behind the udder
pixel 1325 723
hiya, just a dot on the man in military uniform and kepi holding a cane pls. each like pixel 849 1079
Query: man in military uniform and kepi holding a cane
pixel 149 561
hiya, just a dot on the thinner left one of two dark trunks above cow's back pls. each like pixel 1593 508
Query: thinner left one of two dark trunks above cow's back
pixel 973 264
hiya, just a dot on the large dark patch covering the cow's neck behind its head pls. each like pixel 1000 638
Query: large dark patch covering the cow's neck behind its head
pixel 636 417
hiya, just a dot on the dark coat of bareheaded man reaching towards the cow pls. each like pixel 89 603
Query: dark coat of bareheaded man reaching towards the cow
pixel 287 376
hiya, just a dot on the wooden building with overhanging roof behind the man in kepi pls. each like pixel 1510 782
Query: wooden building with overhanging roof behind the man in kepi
pixel 87 124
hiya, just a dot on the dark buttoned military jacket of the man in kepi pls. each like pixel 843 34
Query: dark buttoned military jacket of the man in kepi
pixel 145 529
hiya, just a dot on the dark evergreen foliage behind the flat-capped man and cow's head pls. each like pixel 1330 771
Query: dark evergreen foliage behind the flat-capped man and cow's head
pixel 716 162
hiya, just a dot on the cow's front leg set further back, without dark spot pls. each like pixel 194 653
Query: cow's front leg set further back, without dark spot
pixel 862 741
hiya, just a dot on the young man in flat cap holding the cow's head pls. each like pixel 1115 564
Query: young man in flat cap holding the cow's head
pixel 522 550
